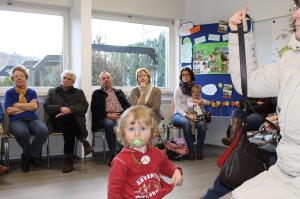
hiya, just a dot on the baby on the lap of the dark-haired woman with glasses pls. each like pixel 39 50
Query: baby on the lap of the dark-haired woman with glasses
pixel 195 104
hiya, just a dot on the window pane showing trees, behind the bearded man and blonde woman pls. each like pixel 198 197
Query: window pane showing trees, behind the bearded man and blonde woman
pixel 120 48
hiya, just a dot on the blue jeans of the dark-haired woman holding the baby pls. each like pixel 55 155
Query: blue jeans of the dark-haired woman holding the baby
pixel 184 123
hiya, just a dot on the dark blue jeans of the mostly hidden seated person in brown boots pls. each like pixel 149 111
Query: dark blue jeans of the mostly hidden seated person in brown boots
pixel 254 120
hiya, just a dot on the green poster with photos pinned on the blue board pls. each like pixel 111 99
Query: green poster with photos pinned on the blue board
pixel 210 58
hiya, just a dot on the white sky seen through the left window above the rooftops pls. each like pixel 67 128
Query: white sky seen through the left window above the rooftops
pixel 30 34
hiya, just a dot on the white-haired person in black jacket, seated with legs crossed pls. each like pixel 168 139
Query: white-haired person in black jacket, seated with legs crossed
pixel 66 107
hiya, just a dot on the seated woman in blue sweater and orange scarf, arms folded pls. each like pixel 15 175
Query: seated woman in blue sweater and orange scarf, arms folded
pixel 21 104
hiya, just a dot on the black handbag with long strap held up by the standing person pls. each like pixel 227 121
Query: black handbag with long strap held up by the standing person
pixel 245 161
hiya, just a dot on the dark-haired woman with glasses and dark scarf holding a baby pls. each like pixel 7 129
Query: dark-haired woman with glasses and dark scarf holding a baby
pixel 182 119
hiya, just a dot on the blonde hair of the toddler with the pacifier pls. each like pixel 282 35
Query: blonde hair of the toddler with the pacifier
pixel 137 114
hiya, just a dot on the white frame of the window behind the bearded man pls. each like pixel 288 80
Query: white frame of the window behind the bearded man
pixel 171 41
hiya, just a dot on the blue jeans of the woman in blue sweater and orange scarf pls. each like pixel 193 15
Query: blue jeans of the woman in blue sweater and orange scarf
pixel 22 128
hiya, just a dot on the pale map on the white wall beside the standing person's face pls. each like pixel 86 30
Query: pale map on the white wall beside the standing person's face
pixel 281 34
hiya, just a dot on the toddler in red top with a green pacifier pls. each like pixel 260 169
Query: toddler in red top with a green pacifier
pixel 135 171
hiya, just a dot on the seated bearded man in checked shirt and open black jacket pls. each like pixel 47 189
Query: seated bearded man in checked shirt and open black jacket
pixel 107 105
